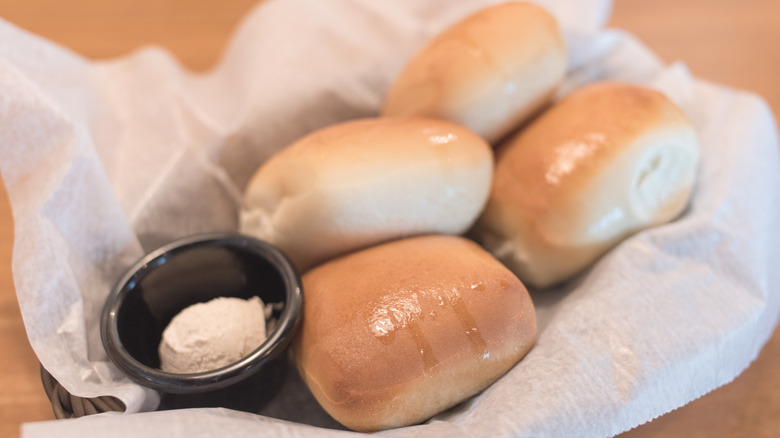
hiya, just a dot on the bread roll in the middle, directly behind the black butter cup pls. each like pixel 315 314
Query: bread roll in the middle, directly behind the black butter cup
pixel 362 182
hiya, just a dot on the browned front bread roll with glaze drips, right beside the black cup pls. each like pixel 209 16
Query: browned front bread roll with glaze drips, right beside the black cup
pixel 394 334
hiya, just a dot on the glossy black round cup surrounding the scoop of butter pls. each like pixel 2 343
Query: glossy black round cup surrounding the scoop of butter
pixel 193 270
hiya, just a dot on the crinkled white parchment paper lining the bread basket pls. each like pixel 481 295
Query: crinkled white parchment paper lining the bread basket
pixel 104 161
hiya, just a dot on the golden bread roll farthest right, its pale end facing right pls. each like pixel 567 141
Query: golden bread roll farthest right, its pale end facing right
pixel 606 162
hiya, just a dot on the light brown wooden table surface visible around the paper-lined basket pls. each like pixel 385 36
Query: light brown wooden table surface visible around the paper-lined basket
pixel 735 43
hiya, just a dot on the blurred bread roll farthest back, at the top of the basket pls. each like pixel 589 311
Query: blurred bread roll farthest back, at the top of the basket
pixel 488 72
